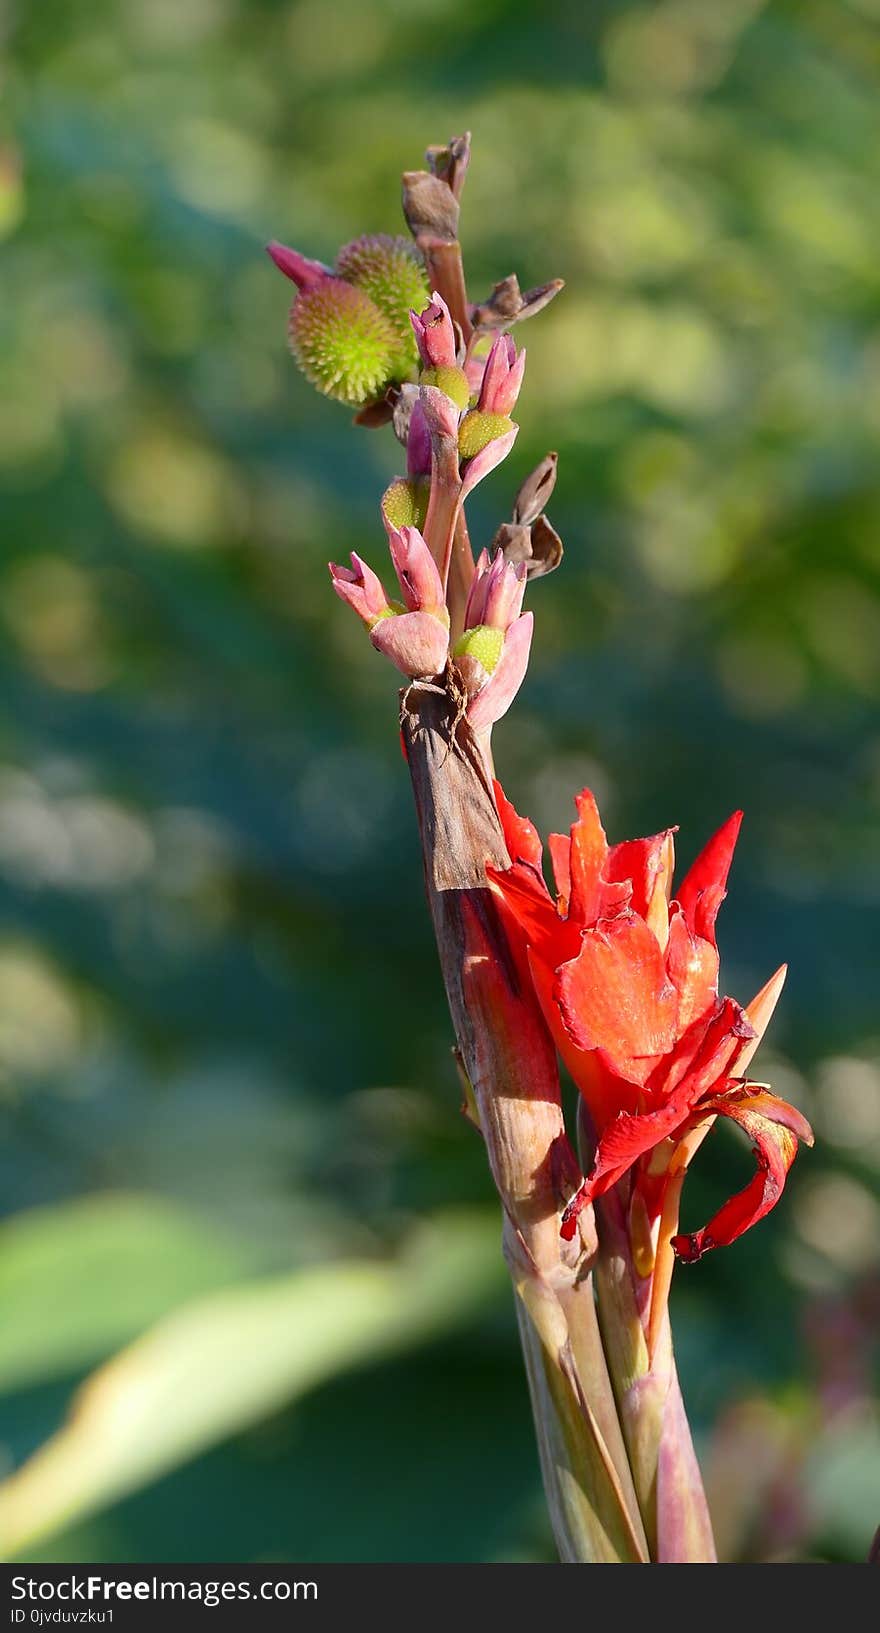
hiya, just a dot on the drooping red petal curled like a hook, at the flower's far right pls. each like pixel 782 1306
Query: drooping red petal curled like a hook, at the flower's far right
pixel 775 1129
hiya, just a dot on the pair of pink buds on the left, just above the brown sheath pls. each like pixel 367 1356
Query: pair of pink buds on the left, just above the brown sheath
pixel 416 633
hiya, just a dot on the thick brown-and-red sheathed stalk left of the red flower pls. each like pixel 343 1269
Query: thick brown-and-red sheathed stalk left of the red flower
pixel 509 1059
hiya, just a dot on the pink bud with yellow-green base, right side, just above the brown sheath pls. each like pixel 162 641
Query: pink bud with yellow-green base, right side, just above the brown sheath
pixel 494 654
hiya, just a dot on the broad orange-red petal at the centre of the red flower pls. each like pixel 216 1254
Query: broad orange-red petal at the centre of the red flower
pixel 615 997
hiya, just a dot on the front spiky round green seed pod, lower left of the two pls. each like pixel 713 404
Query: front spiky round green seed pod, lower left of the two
pixel 342 342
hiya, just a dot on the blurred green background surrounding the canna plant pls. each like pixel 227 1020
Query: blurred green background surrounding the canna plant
pixel 224 1054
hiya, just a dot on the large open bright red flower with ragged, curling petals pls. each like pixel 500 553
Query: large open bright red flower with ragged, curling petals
pixel 628 977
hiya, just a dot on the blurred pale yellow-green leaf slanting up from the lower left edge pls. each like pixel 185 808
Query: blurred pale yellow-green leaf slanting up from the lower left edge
pixel 224 1363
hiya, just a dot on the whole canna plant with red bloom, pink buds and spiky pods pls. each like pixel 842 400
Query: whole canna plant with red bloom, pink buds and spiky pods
pixel 616 972
